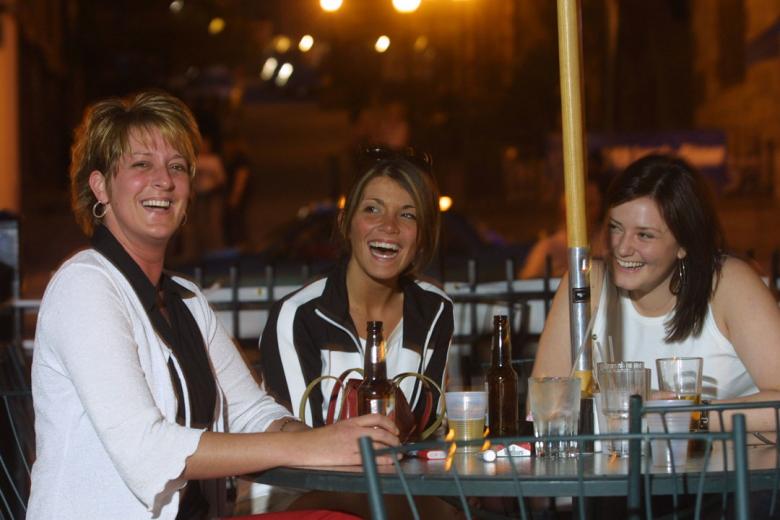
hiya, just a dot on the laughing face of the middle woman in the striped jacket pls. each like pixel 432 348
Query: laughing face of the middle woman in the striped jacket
pixel 383 231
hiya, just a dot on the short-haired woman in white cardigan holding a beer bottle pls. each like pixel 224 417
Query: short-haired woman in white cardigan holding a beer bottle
pixel 142 402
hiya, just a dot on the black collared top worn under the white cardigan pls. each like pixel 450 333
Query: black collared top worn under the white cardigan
pixel 182 335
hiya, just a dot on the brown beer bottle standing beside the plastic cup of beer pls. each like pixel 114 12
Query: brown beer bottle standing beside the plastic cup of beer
pixel 502 383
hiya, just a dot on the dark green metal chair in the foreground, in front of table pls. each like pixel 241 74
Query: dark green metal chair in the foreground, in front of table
pixel 583 477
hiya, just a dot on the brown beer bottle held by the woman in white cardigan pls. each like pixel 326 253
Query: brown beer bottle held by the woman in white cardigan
pixel 375 394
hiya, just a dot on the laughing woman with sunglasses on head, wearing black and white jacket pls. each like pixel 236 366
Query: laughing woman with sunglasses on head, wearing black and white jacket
pixel 389 229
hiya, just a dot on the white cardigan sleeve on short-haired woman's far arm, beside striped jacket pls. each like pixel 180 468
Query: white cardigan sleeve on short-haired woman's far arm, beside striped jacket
pixel 249 407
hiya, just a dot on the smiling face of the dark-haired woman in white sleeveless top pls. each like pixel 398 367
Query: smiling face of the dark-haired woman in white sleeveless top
pixel 644 250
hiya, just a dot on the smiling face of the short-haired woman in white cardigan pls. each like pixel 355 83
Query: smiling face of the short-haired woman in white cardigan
pixel 146 198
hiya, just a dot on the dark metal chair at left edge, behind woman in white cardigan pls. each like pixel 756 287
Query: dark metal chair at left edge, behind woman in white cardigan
pixel 17 449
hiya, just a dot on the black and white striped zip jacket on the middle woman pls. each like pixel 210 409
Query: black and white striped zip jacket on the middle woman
pixel 321 326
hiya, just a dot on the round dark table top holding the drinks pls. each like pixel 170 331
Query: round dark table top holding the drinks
pixel 600 475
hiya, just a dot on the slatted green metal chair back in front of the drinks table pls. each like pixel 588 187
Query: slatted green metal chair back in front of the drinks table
pixel 632 481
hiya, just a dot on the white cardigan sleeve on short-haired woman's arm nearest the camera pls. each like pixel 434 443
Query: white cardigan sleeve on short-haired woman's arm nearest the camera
pixel 86 327
